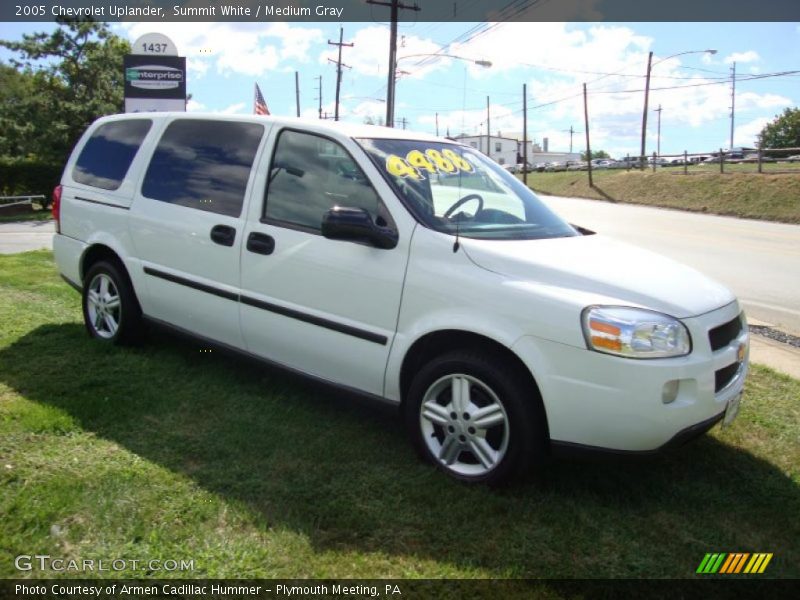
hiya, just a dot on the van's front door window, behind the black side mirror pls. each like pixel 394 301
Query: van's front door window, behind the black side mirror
pixel 311 174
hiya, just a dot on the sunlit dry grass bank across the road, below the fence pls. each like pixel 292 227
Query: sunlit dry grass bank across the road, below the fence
pixel 740 193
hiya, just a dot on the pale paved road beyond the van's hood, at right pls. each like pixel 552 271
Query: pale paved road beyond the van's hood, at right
pixel 759 261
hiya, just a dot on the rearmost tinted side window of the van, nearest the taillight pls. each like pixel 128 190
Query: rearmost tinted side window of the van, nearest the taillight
pixel 107 156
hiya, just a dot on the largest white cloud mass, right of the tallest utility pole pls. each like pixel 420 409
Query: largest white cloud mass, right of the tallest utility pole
pixel 566 56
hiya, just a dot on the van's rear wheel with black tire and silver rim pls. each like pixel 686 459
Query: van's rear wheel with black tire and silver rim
pixel 119 324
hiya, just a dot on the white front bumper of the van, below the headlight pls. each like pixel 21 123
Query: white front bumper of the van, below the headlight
pixel 605 402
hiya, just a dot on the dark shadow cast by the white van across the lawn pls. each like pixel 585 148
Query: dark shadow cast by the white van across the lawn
pixel 341 473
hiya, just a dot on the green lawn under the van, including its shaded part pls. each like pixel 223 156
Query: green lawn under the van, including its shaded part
pixel 168 452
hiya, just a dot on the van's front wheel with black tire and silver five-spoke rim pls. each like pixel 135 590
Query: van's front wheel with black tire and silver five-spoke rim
pixel 451 438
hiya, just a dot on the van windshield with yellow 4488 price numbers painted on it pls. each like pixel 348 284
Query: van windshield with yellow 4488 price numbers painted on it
pixel 452 189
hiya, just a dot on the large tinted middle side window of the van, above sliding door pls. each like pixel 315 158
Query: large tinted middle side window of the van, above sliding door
pixel 203 164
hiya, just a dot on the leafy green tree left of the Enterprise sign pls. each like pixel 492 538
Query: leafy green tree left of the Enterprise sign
pixel 71 76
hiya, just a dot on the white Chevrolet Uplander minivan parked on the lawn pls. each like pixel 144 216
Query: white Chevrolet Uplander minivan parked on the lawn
pixel 371 318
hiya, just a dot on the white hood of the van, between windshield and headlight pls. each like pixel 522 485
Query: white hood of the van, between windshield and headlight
pixel 597 265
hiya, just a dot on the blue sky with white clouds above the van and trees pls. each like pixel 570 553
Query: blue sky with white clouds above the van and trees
pixel 554 59
